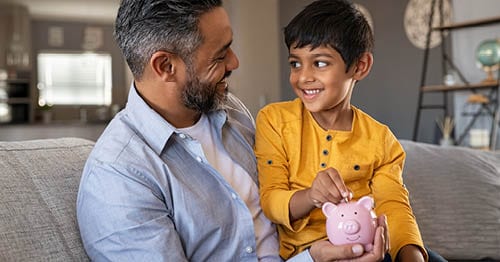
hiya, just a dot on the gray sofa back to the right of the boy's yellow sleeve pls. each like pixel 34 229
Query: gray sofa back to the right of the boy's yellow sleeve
pixel 455 195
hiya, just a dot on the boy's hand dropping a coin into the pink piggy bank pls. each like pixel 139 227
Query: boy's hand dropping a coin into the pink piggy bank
pixel 328 186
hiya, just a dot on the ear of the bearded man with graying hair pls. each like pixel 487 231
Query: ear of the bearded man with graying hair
pixel 164 65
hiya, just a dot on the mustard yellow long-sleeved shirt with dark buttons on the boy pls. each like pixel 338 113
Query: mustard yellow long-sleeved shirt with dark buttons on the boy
pixel 291 148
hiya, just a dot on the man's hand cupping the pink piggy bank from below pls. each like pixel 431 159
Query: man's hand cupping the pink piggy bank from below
pixel 323 250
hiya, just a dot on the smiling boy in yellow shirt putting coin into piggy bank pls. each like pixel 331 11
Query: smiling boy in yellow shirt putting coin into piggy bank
pixel 320 148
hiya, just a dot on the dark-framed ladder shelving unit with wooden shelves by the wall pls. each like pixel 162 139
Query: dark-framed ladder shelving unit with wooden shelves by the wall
pixel 490 108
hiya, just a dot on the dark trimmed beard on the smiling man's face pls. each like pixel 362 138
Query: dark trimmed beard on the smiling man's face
pixel 202 97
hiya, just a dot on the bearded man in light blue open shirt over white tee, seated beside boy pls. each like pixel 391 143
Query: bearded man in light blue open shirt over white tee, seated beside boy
pixel 173 177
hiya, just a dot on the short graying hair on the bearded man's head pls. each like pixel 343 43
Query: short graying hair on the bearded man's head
pixel 144 27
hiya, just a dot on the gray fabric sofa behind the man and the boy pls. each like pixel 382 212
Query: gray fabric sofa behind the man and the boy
pixel 455 193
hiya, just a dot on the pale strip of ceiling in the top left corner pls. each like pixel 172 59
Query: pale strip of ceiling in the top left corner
pixel 72 10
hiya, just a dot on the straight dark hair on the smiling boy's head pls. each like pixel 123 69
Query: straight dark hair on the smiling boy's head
pixel 334 23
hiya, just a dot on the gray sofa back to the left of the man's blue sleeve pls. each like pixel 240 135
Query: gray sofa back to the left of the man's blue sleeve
pixel 39 182
